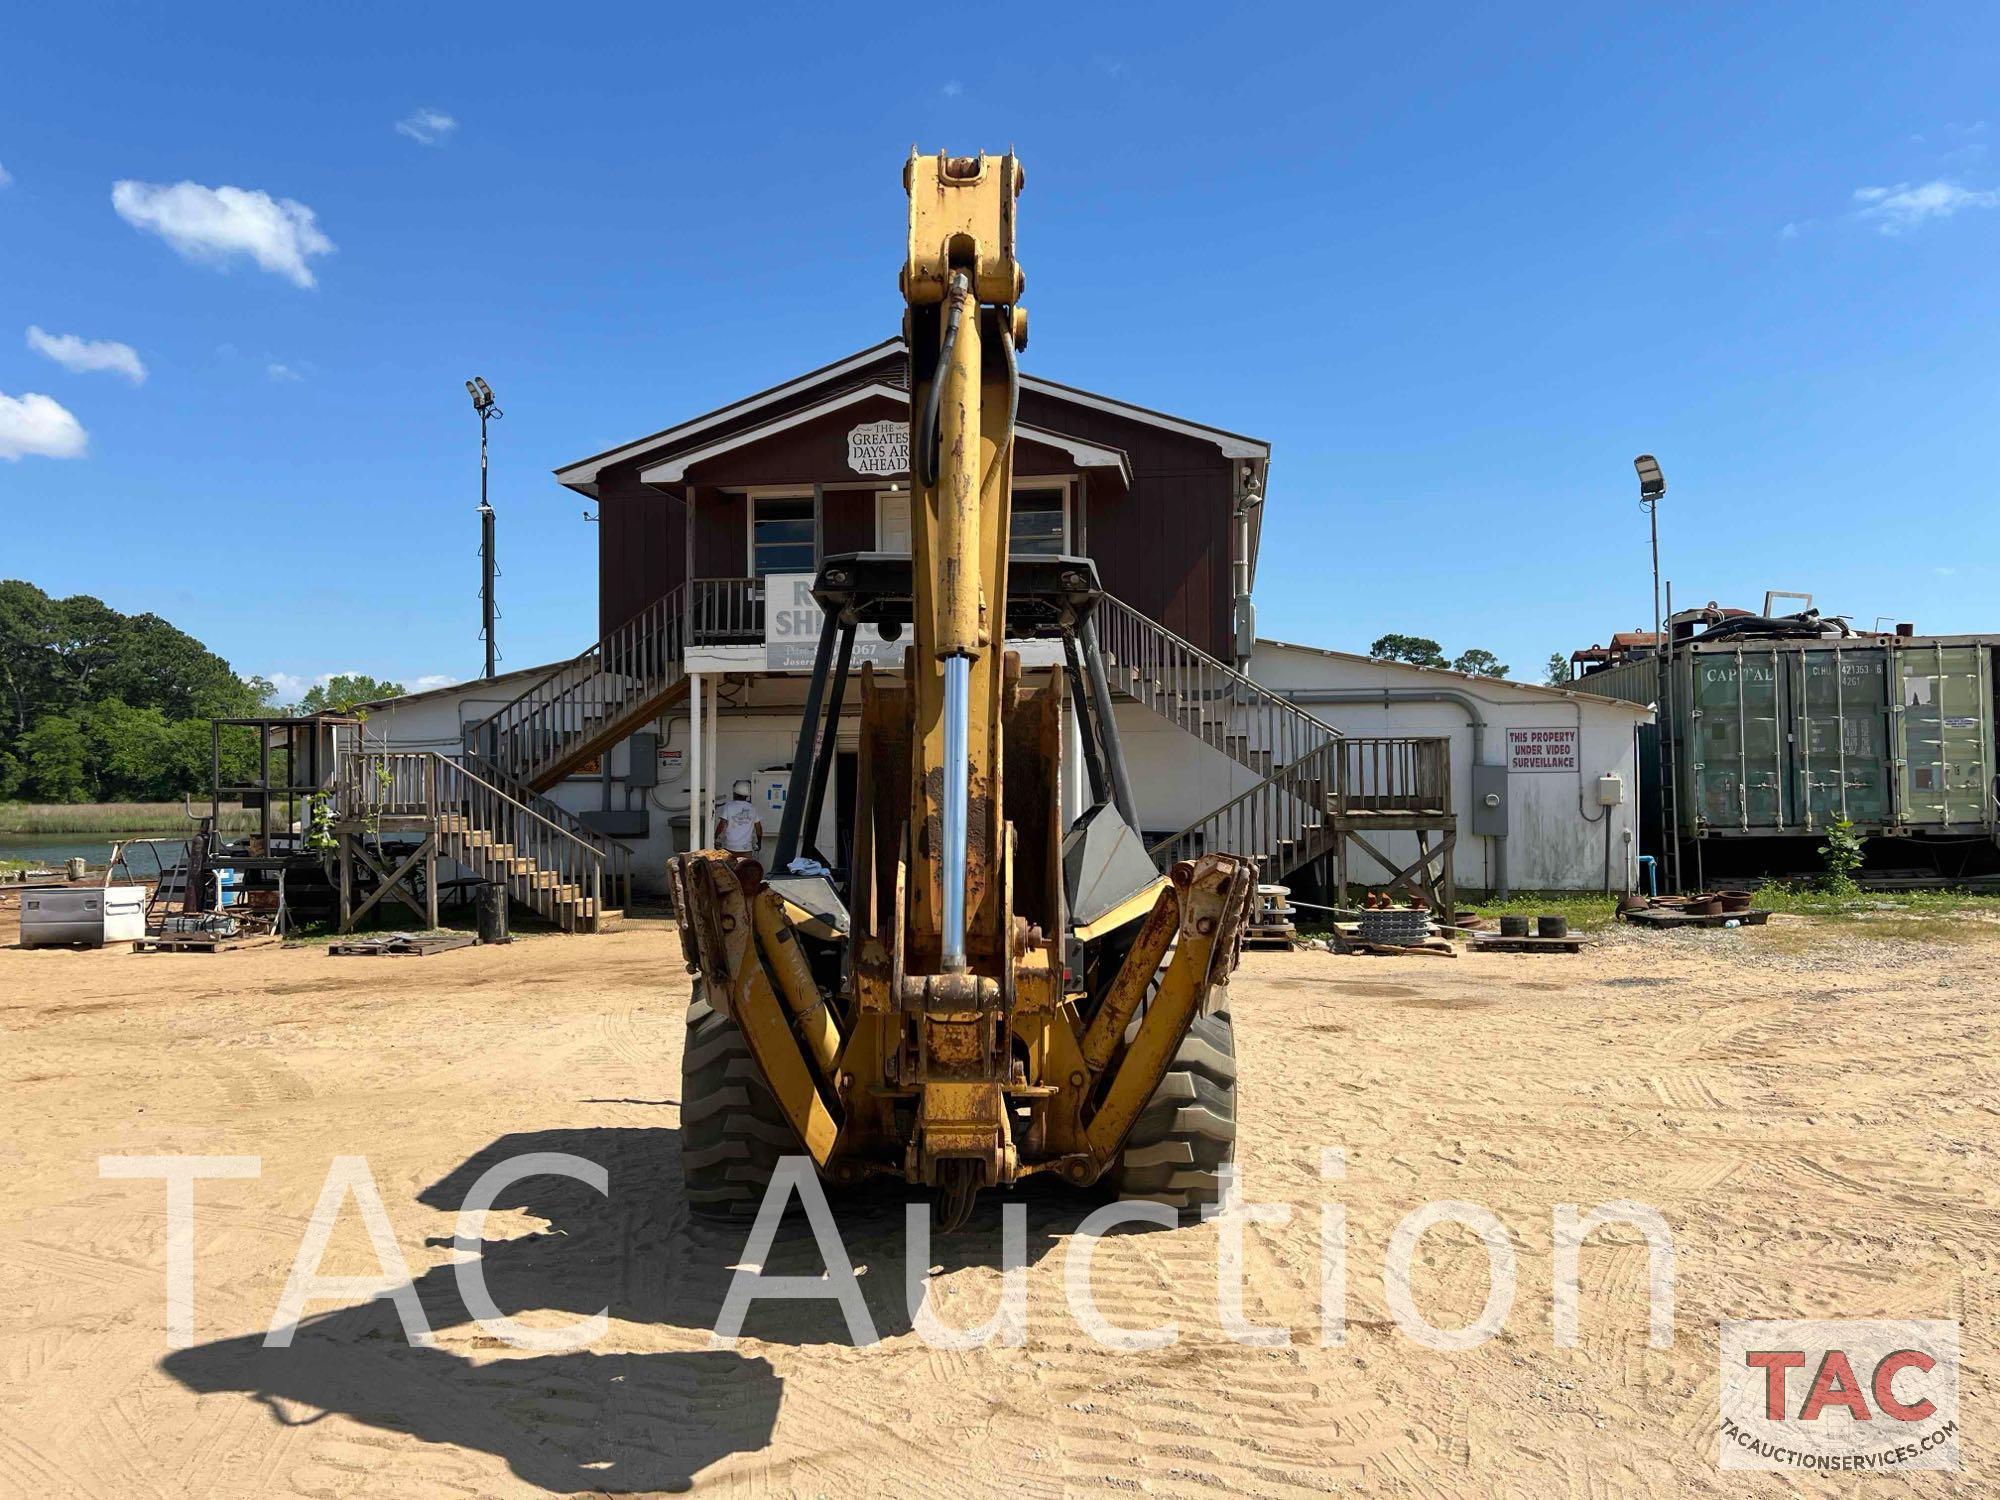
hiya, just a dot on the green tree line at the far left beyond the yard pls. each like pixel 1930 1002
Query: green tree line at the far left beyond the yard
pixel 107 707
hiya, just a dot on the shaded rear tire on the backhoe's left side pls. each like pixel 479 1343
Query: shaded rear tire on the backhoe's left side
pixel 731 1129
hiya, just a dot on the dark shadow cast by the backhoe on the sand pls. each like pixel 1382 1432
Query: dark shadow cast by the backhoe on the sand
pixel 587 1421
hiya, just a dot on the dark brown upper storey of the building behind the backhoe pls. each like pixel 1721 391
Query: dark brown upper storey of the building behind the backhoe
pixel 773 483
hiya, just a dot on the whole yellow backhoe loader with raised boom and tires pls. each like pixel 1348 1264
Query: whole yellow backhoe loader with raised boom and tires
pixel 983 993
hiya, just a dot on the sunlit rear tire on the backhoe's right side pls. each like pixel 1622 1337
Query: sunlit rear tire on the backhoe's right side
pixel 1187 1133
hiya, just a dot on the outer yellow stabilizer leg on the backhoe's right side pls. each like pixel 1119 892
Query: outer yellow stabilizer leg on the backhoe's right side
pixel 1213 909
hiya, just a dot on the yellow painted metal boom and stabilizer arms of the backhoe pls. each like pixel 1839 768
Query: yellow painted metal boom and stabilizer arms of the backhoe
pixel 989 1075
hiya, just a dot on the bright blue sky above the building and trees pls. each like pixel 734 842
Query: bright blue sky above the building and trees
pixel 1457 265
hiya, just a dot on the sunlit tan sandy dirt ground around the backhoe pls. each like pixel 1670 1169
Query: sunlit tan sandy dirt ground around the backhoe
pixel 1817 1123
